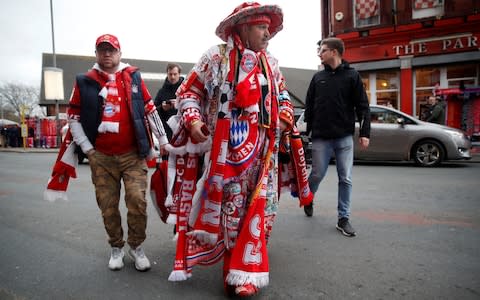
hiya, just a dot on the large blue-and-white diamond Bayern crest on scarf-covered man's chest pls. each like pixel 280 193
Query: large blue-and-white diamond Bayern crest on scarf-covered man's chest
pixel 243 138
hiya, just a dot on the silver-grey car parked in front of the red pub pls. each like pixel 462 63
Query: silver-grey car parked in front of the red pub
pixel 397 136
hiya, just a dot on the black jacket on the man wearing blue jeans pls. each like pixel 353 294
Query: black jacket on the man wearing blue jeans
pixel 333 99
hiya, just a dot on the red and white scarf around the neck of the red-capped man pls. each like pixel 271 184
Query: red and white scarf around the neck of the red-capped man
pixel 111 108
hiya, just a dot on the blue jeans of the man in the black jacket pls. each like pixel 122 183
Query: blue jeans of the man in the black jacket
pixel 322 150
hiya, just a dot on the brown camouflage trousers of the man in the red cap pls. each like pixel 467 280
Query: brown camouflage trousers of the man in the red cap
pixel 108 171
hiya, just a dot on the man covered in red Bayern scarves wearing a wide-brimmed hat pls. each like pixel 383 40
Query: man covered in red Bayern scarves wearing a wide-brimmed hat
pixel 233 111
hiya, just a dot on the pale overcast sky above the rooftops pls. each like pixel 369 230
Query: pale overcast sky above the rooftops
pixel 161 30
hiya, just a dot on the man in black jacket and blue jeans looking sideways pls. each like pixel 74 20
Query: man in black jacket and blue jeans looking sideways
pixel 335 95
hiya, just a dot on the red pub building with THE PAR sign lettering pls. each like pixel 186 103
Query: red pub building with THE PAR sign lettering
pixel 407 50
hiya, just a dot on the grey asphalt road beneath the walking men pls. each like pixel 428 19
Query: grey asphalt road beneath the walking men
pixel 418 238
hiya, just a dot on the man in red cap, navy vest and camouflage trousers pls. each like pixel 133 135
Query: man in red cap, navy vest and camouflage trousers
pixel 116 139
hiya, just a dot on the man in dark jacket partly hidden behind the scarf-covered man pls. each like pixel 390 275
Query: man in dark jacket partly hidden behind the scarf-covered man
pixel 165 100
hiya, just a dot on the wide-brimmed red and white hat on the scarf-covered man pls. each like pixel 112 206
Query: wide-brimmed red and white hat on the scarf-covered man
pixel 251 13
